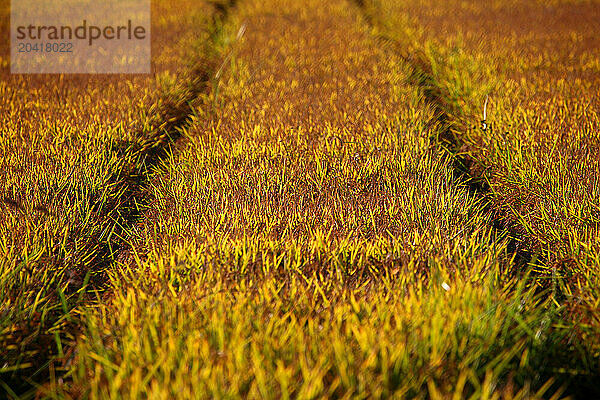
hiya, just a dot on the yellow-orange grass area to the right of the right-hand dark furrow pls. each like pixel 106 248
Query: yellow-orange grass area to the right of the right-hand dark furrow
pixel 538 153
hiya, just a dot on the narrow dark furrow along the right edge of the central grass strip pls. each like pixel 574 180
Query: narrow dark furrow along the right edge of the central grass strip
pixel 446 125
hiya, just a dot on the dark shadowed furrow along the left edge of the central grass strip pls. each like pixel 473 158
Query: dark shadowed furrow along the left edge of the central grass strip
pixel 140 155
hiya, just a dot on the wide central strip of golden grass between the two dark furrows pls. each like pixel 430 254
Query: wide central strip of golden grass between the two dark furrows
pixel 289 252
